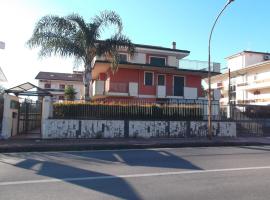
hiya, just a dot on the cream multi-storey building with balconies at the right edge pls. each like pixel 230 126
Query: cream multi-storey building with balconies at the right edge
pixel 249 79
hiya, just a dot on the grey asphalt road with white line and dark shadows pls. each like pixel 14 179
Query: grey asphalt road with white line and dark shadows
pixel 207 173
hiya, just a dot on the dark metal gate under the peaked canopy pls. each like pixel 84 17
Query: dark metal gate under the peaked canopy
pixel 30 113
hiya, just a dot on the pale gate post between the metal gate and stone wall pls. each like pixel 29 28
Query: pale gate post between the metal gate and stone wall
pixel 47 112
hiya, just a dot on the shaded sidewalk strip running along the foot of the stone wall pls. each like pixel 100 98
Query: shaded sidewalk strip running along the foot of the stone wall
pixel 25 145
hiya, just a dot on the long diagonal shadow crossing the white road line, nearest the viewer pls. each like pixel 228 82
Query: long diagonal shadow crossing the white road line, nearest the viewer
pixel 117 187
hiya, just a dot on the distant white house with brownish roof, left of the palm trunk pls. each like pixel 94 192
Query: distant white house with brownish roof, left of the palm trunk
pixel 56 83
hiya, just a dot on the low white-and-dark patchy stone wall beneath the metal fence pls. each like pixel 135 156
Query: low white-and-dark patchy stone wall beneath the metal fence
pixel 55 128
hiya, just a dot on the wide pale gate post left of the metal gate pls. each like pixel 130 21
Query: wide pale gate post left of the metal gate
pixel 10 116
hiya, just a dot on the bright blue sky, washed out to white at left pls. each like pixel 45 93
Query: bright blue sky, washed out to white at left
pixel 243 26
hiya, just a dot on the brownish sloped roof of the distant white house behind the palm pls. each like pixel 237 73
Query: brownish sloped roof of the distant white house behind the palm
pixel 59 76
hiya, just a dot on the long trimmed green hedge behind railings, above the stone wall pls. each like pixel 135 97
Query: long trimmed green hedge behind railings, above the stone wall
pixel 135 111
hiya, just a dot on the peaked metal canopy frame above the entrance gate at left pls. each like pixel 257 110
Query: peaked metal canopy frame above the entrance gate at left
pixel 24 90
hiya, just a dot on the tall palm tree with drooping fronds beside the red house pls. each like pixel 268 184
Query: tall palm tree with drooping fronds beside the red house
pixel 71 36
